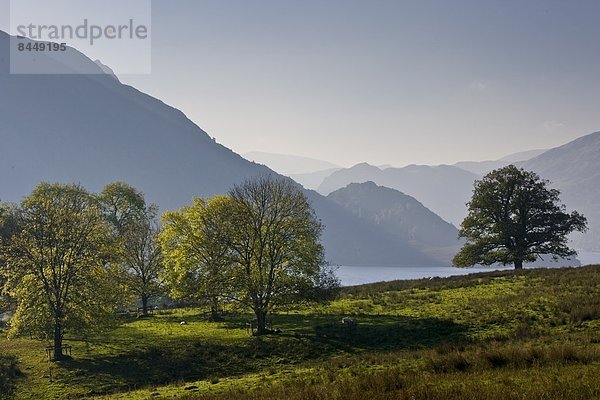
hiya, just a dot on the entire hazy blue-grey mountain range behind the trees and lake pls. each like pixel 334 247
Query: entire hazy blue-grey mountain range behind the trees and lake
pixel 101 130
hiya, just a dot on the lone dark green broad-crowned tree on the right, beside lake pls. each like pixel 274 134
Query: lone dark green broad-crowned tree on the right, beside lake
pixel 514 217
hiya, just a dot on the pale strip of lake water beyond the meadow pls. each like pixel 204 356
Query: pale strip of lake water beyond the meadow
pixel 358 275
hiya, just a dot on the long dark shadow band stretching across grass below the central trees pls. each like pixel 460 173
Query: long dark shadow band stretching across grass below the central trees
pixel 302 339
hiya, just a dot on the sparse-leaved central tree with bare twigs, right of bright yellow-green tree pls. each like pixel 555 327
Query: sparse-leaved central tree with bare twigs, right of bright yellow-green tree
pixel 274 237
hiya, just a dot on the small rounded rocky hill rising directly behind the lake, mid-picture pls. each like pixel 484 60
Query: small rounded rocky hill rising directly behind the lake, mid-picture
pixel 401 216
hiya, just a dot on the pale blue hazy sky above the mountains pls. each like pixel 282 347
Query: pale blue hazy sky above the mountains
pixel 387 82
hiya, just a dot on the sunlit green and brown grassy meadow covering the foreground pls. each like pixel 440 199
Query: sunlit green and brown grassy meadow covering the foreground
pixel 497 335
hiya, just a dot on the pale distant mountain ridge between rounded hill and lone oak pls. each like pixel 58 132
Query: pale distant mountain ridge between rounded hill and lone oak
pixel 443 189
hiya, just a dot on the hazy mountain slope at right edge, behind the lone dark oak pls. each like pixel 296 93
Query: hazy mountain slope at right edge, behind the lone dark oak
pixel 574 169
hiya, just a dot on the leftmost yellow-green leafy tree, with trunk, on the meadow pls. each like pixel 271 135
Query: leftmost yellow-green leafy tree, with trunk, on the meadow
pixel 55 264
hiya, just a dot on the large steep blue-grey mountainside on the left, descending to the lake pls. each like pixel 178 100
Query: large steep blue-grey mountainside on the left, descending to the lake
pixel 94 130
